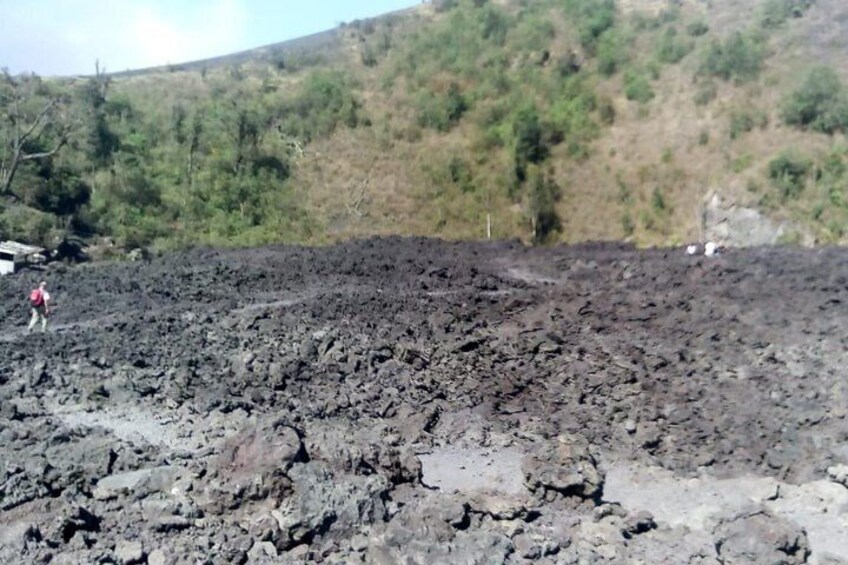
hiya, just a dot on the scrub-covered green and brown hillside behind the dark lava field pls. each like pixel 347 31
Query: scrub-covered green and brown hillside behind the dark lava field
pixel 552 120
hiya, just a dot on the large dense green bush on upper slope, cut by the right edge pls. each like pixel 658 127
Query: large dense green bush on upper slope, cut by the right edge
pixel 820 103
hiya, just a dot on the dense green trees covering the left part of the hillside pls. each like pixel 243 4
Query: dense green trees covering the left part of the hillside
pixel 210 162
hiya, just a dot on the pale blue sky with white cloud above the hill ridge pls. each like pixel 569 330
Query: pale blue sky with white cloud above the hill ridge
pixel 67 37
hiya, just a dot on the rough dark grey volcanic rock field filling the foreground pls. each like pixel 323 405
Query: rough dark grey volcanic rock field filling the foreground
pixel 413 401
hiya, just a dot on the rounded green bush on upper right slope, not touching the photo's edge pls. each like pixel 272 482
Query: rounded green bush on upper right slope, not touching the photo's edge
pixel 739 57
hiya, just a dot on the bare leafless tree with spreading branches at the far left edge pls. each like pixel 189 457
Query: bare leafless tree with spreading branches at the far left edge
pixel 27 128
